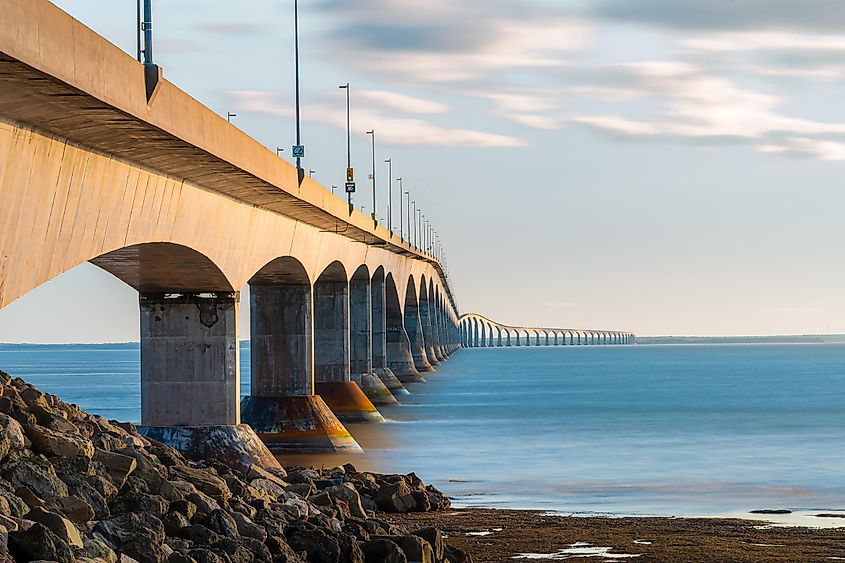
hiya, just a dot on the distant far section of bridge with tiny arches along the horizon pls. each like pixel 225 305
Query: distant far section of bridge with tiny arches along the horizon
pixel 480 332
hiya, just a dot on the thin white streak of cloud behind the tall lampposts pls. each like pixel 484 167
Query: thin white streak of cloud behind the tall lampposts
pixel 396 130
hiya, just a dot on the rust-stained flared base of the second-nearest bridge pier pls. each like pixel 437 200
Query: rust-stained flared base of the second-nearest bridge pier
pixel 297 424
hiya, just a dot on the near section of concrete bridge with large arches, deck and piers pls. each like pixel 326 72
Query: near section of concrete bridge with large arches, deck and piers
pixel 153 187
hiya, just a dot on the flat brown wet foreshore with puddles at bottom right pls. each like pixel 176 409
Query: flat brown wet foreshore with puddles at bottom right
pixel 515 532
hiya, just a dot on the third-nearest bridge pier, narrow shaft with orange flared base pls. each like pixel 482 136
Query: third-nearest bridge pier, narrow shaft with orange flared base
pixel 331 351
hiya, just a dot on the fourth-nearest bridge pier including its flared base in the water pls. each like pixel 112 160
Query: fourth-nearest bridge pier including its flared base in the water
pixel 361 341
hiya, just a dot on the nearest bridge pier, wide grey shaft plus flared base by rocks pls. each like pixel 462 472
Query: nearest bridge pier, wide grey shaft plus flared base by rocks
pixel 190 379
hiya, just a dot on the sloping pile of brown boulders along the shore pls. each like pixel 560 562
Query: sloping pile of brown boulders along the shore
pixel 77 487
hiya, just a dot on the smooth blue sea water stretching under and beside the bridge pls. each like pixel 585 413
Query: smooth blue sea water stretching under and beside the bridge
pixel 684 430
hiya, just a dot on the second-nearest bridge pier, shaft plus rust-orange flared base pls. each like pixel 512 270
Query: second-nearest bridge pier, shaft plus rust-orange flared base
pixel 282 406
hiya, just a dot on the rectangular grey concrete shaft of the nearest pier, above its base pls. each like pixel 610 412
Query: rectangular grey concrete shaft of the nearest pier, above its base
pixel 189 360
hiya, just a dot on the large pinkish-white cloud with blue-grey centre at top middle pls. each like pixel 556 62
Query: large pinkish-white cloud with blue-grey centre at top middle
pixel 439 41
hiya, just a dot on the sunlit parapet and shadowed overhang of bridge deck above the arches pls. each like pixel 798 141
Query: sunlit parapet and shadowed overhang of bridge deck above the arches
pixel 62 78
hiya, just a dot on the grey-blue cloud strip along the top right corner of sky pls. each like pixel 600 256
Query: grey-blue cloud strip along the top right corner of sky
pixel 809 15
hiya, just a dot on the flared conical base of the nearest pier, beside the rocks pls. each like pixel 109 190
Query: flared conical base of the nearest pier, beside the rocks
pixel 237 446
